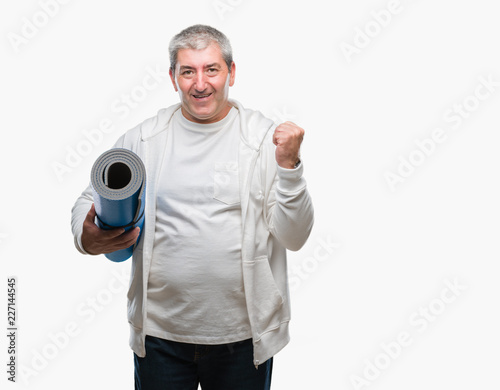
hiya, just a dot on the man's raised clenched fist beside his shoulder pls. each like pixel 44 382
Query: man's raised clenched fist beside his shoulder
pixel 287 138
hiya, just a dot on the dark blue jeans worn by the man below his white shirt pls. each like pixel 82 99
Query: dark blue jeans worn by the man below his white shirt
pixel 169 365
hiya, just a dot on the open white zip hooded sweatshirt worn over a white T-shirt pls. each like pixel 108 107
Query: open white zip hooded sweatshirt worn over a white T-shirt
pixel 277 214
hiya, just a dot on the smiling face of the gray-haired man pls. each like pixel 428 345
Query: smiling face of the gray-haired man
pixel 203 80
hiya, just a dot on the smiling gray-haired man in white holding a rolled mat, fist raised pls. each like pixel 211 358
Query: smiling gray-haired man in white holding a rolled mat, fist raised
pixel 208 301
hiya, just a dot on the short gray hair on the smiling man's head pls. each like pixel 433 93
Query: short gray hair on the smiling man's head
pixel 199 37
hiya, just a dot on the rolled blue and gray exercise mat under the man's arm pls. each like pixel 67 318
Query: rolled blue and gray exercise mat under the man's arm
pixel 118 181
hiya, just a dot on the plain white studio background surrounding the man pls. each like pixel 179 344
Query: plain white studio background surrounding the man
pixel 395 249
